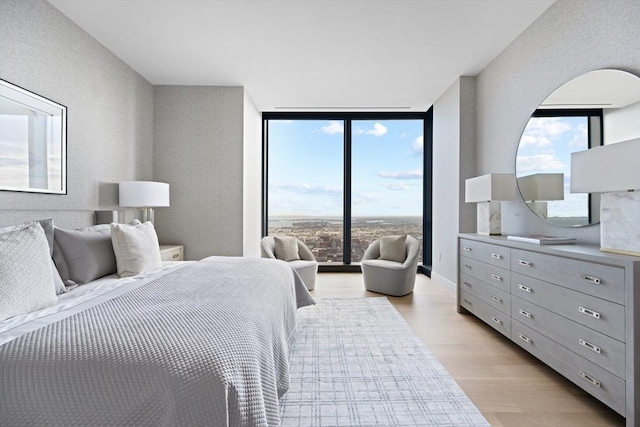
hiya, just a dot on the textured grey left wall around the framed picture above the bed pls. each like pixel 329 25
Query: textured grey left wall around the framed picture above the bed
pixel 110 106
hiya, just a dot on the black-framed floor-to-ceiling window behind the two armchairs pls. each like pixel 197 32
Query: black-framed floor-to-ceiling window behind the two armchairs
pixel 340 181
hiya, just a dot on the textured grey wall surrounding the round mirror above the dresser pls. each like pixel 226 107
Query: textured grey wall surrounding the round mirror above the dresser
pixel 571 38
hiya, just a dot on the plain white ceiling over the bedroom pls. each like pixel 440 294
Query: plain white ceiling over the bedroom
pixel 308 55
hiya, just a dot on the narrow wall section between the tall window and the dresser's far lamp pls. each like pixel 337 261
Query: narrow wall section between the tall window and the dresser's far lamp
pixel 453 162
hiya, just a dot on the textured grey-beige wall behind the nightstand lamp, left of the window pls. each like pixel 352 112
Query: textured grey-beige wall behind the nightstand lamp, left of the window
pixel 198 147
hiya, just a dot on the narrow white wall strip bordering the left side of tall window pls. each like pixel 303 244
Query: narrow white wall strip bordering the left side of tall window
pixel 252 179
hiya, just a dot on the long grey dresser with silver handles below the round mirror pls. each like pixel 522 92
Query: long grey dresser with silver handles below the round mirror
pixel 573 307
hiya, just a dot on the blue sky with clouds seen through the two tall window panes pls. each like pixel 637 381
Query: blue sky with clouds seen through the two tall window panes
pixel 306 167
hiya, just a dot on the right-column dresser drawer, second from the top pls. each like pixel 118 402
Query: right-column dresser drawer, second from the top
pixel 603 316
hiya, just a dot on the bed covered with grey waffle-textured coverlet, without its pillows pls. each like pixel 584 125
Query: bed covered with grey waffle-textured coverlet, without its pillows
pixel 189 343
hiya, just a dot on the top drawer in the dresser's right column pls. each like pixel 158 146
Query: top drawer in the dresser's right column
pixel 599 280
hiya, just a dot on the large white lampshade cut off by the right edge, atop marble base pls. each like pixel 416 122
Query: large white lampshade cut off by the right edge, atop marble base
pixel 606 169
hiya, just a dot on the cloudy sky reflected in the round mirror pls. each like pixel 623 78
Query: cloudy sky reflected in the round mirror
pixel 545 147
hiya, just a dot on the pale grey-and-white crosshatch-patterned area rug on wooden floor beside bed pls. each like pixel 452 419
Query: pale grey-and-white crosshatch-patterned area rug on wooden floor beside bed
pixel 356 362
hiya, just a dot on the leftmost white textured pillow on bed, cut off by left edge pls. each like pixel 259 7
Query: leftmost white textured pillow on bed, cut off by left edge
pixel 26 282
